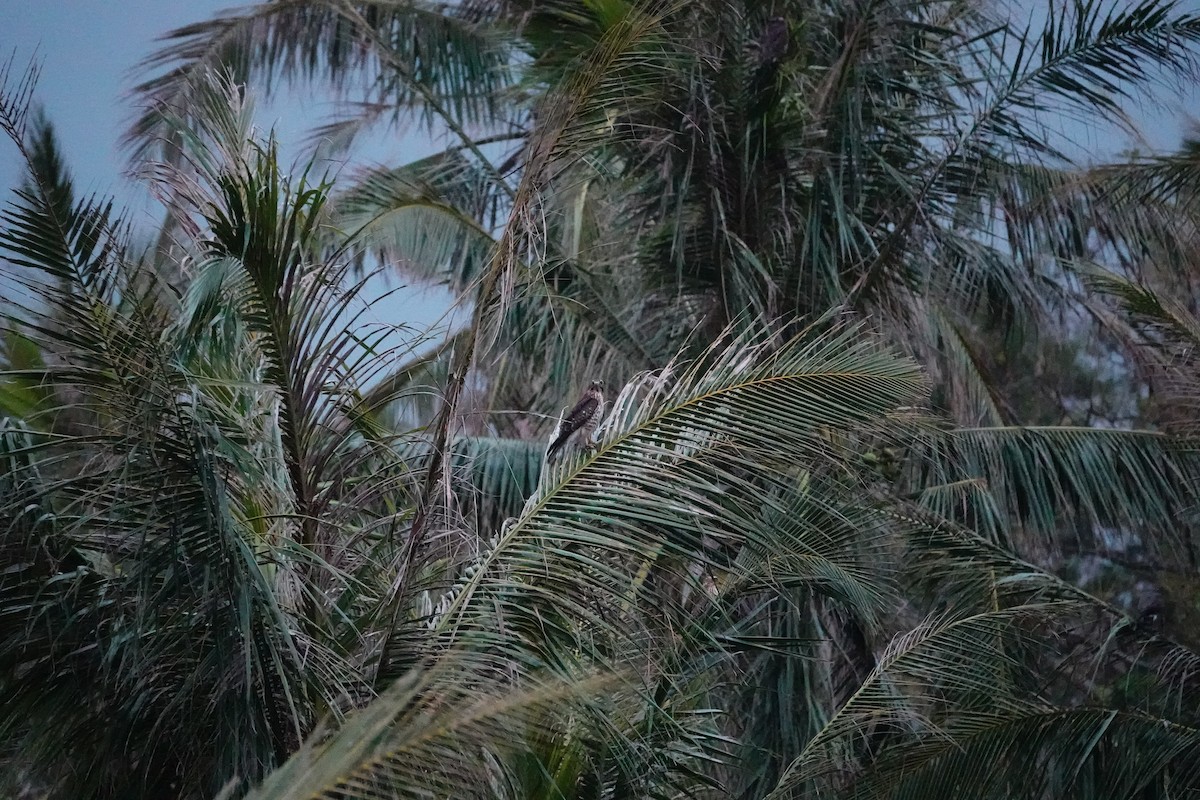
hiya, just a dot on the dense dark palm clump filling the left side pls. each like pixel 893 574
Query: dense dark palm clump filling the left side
pixel 196 569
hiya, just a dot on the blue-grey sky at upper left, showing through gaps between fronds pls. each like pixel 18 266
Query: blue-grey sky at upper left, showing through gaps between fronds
pixel 89 52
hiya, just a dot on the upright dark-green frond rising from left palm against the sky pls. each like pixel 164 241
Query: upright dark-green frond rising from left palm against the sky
pixel 262 261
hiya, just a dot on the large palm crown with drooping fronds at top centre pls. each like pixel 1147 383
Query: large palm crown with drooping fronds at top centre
pixel 697 161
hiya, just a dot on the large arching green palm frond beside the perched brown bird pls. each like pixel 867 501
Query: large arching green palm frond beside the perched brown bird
pixel 689 468
